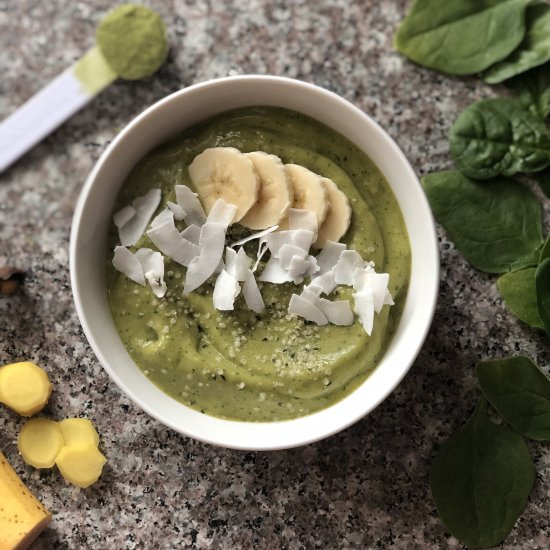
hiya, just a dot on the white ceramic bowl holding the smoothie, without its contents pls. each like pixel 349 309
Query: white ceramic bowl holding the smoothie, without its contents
pixel 172 115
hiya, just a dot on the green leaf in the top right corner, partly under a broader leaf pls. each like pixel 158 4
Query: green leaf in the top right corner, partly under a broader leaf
pixel 533 51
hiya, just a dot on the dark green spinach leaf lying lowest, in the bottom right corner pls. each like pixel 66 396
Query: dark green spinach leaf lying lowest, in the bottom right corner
pixel 481 479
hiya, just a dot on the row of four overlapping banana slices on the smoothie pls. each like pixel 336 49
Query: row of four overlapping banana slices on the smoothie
pixel 264 188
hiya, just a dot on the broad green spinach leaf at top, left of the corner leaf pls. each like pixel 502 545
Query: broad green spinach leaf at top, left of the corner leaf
pixel 463 36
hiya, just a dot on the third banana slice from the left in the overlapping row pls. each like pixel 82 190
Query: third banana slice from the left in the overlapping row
pixel 309 193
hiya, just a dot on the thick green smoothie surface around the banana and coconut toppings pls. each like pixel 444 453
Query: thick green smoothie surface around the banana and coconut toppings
pixel 237 364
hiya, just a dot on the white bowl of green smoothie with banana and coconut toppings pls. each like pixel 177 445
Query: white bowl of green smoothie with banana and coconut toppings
pixel 254 263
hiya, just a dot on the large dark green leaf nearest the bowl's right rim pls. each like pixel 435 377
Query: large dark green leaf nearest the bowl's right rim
pixel 493 223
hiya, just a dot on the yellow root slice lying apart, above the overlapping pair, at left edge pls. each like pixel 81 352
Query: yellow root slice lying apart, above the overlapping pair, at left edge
pixel 24 387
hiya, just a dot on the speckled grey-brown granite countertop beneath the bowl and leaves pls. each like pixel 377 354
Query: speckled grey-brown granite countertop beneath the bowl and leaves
pixel 366 487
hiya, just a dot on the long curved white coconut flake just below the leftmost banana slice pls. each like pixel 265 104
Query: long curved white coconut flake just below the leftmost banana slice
pixel 212 243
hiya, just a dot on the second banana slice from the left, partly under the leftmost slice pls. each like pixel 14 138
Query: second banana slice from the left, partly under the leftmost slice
pixel 276 192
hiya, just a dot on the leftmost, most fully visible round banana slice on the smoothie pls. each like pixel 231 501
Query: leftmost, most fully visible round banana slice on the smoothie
pixel 225 173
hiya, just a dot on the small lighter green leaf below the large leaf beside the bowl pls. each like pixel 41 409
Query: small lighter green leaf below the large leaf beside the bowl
pixel 520 295
